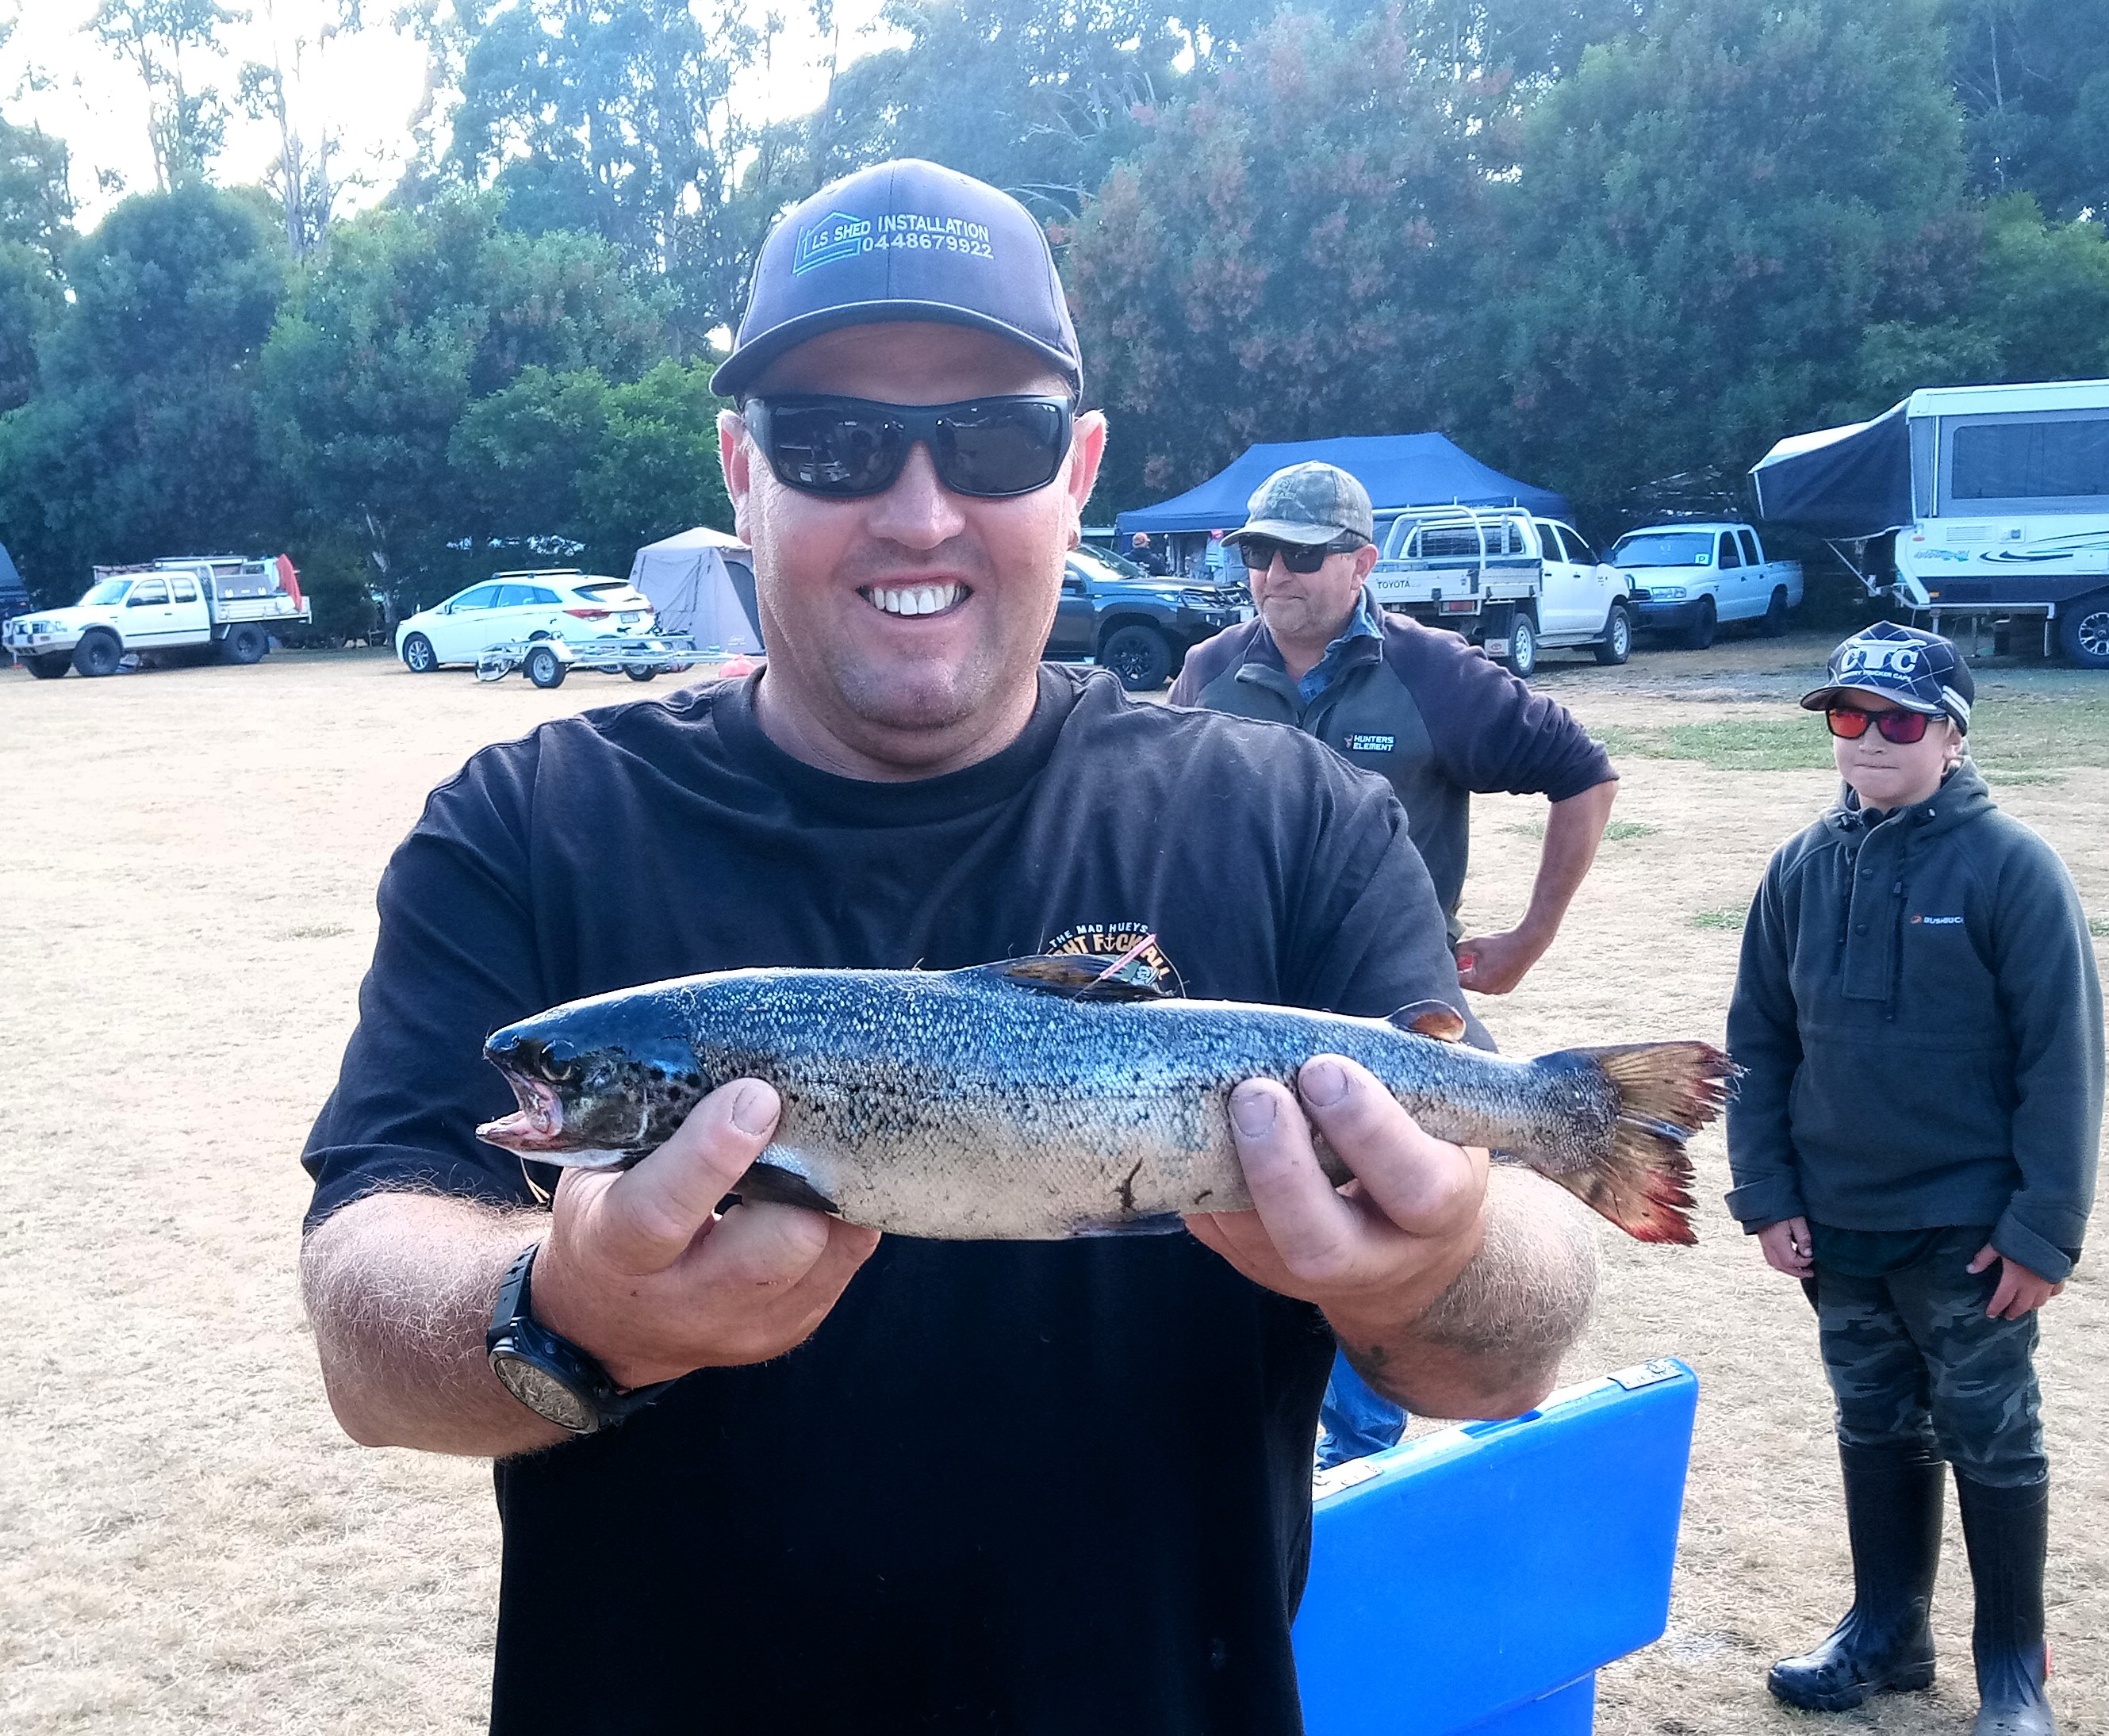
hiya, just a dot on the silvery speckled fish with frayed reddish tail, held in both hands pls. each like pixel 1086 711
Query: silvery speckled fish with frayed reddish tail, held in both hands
pixel 1066 1096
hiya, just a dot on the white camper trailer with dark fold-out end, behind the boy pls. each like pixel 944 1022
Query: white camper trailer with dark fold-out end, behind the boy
pixel 1967 501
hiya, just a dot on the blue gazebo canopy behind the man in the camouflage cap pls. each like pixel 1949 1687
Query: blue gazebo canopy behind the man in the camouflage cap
pixel 1397 469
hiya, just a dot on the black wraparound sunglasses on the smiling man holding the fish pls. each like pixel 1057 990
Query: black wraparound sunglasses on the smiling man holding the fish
pixel 849 448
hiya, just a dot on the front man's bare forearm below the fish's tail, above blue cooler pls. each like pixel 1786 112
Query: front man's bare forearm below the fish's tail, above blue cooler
pixel 1492 1343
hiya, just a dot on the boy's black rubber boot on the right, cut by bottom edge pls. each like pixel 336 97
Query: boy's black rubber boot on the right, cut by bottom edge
pixel 2009 1532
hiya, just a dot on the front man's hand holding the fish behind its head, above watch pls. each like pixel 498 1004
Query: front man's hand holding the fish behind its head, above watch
pixel 640 1271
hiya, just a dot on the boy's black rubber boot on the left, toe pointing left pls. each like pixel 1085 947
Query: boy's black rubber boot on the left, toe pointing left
pixel 1884 1646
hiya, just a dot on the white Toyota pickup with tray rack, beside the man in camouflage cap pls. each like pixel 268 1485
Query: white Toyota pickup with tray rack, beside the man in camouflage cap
pixel 1505 581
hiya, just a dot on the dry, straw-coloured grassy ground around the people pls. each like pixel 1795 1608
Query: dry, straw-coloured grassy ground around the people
pixel 191 870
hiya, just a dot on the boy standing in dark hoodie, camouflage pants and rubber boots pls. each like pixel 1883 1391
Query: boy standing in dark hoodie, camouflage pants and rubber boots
pixel 1916 1140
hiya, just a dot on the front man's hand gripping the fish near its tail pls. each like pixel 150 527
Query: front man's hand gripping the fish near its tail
pixel 1374 1254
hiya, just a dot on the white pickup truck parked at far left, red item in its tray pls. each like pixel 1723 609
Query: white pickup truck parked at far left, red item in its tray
pixel 176 606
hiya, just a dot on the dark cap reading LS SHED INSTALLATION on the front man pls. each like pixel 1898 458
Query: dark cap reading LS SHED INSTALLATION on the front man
pixel 904 242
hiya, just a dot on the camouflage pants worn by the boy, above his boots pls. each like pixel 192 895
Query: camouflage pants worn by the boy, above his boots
pixel 1916 1362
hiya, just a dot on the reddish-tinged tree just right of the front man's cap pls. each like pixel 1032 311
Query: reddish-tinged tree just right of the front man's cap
pixel 1281 258
